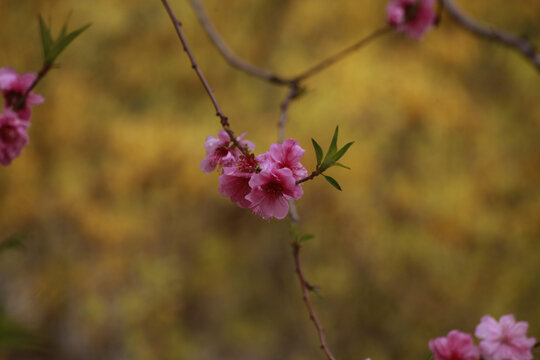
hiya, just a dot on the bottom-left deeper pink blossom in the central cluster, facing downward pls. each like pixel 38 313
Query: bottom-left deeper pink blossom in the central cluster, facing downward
pixel 234 182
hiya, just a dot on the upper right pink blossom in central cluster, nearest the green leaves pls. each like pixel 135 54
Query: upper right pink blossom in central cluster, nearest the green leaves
pixel 286 155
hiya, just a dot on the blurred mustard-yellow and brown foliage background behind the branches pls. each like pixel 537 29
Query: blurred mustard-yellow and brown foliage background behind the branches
pixel 131 253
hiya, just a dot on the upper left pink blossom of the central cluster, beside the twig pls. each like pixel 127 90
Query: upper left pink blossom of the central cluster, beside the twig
pixel 220 151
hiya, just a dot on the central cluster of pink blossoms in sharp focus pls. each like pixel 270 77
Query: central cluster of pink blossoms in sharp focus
pixel 261 183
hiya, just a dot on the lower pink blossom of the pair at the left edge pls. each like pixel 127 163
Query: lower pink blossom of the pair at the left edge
pixel 13 137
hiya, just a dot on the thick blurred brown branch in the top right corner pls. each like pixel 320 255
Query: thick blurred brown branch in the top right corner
pixel 512 41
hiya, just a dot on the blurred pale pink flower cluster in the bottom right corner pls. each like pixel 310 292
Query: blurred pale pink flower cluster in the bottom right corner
pixel 502 340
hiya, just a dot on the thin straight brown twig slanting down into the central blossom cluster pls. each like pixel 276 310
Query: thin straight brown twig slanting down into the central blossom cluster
pixel 223 119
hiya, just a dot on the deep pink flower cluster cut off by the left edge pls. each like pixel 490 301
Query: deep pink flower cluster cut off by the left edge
pixel 15 119
